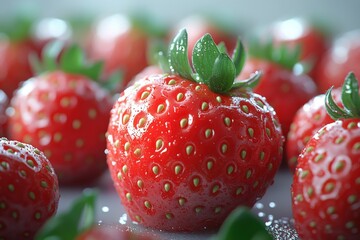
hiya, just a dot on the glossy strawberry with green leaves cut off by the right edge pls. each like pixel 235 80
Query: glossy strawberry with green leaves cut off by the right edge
pixel 326 185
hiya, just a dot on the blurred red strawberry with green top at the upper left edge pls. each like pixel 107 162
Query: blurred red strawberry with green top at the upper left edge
pixel 18 41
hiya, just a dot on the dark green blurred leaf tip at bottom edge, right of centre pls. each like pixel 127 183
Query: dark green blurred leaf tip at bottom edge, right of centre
pixel 243 224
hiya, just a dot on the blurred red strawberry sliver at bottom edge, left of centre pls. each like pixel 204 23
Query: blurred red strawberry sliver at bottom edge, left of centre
pixel 110 232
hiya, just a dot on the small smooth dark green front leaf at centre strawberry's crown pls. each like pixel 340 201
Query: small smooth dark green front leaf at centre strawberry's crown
pixel 223 74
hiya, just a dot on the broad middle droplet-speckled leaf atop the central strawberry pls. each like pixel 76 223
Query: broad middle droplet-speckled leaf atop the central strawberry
pixel 204 54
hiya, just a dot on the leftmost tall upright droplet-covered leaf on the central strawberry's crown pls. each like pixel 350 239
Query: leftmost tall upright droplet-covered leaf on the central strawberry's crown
pixel 178 56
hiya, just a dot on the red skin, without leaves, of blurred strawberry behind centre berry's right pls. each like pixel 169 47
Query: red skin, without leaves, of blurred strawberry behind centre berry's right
pixel 284 91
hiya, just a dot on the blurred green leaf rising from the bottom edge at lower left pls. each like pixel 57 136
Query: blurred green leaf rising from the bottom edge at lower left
pixel 69 224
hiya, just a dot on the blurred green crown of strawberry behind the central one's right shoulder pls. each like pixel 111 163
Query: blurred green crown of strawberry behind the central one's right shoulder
pixel 287 57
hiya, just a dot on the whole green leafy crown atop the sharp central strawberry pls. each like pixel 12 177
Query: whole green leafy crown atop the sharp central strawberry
pixel 211 65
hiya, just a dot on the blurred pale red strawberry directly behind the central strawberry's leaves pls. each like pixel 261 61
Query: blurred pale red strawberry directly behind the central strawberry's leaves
pixel 197 26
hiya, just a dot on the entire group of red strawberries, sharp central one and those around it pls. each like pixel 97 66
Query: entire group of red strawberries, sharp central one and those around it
pixel 192 130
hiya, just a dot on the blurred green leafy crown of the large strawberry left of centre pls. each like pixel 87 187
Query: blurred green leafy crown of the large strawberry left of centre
pixel 71 59
